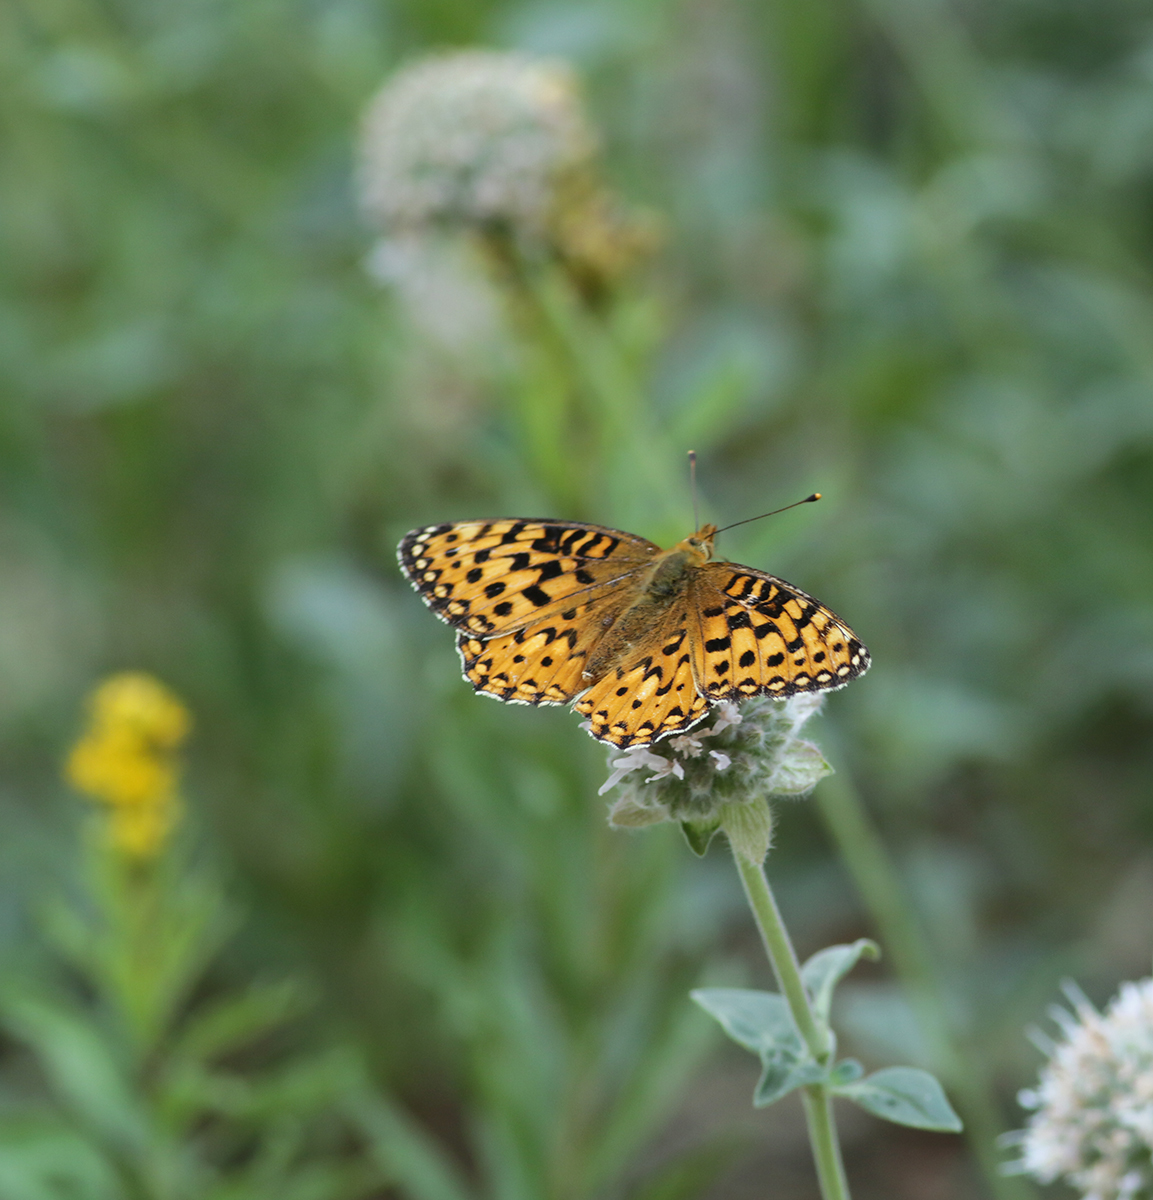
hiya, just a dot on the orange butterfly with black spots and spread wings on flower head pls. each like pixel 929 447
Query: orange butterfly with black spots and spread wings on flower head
pixel 644 640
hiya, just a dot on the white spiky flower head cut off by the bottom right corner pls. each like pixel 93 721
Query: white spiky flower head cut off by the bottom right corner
pixel 1092 1124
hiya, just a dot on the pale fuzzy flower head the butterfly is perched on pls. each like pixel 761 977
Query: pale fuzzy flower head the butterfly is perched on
pixel 738 755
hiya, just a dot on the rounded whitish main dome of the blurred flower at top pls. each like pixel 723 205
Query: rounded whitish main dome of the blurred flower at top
pixel 473 140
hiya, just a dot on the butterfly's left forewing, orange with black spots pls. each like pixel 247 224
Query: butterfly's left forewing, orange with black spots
pixel 488 578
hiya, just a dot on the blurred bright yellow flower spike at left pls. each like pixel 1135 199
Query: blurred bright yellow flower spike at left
pixel 125 760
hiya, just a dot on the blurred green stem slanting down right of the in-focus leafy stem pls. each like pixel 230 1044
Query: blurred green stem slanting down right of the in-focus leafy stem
pixel 876 879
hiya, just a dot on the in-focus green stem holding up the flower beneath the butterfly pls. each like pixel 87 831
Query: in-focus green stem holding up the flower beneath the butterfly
pixel 819 1103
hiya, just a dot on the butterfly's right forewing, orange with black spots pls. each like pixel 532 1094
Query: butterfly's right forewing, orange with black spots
pixel 760 635
